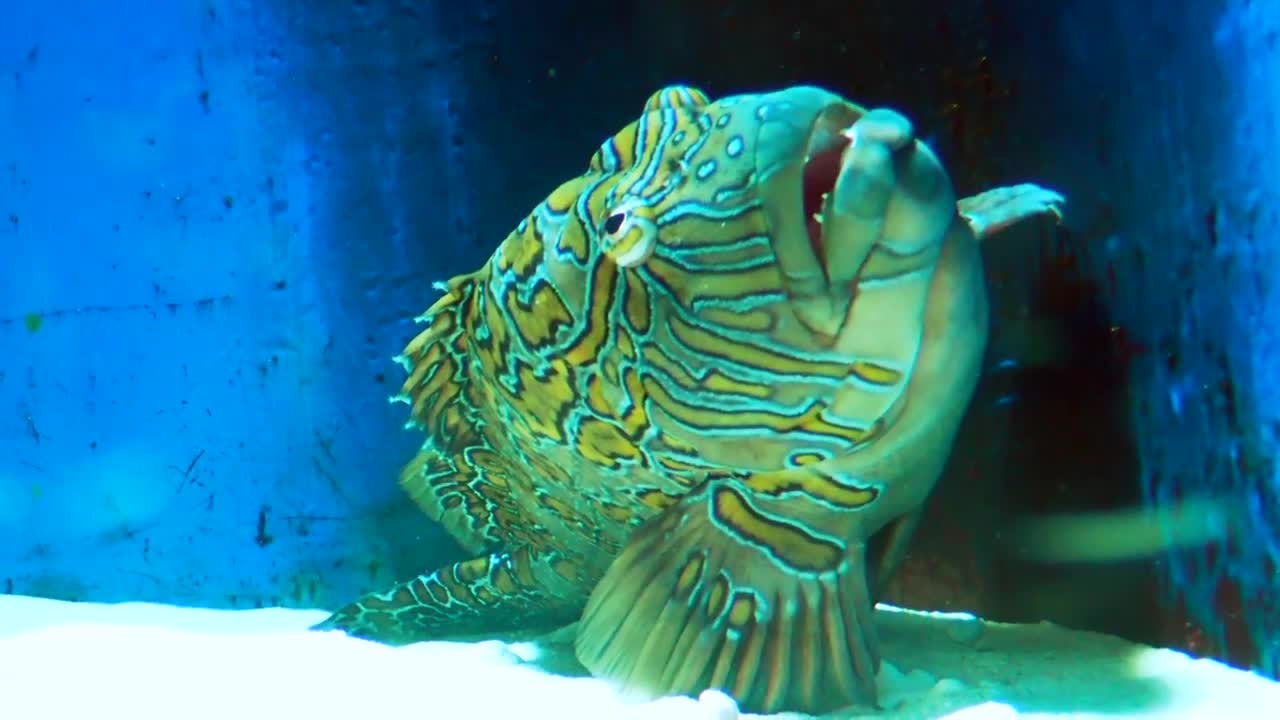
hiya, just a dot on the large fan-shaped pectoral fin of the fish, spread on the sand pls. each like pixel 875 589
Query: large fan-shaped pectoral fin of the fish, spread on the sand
pixel 723 593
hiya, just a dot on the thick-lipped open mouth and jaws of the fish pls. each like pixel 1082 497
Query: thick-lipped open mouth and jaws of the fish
pixel 842 184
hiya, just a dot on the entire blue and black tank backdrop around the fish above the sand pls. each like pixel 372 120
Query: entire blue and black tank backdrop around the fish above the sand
pixel 220 220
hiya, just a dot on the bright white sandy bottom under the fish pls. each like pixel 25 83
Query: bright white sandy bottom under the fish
pixel 136 662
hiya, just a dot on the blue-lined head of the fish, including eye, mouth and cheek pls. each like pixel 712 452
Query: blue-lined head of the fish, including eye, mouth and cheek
pixel 744 274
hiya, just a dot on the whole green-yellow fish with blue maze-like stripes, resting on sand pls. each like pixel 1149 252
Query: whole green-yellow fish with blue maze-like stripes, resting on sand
pixel 678 407
